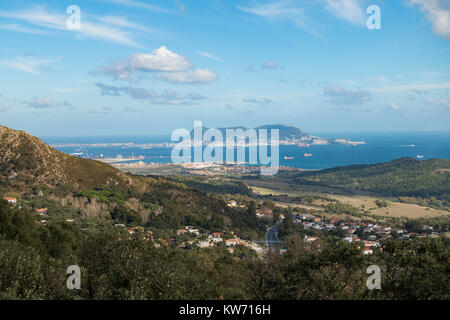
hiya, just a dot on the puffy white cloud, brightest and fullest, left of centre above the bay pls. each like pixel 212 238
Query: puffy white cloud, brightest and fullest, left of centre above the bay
pixel 160 59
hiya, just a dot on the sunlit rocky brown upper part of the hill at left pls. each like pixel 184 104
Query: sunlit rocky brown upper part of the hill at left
pixel 26 162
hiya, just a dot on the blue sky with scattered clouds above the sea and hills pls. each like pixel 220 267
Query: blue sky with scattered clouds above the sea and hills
pixel 132 67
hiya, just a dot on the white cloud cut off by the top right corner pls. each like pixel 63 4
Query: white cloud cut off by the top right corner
pixel 438 13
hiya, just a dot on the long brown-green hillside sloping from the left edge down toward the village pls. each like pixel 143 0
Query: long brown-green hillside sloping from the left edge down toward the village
pixel 44 177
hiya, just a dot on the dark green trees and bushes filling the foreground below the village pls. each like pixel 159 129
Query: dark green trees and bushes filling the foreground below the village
pixel 115 265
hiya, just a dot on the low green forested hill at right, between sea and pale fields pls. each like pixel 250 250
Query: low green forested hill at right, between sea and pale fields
pixel 401 177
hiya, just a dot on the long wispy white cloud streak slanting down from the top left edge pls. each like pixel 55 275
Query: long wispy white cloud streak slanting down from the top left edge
pixel 39 17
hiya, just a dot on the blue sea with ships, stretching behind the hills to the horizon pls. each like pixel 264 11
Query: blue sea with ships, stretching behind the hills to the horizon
pixel 379 147
